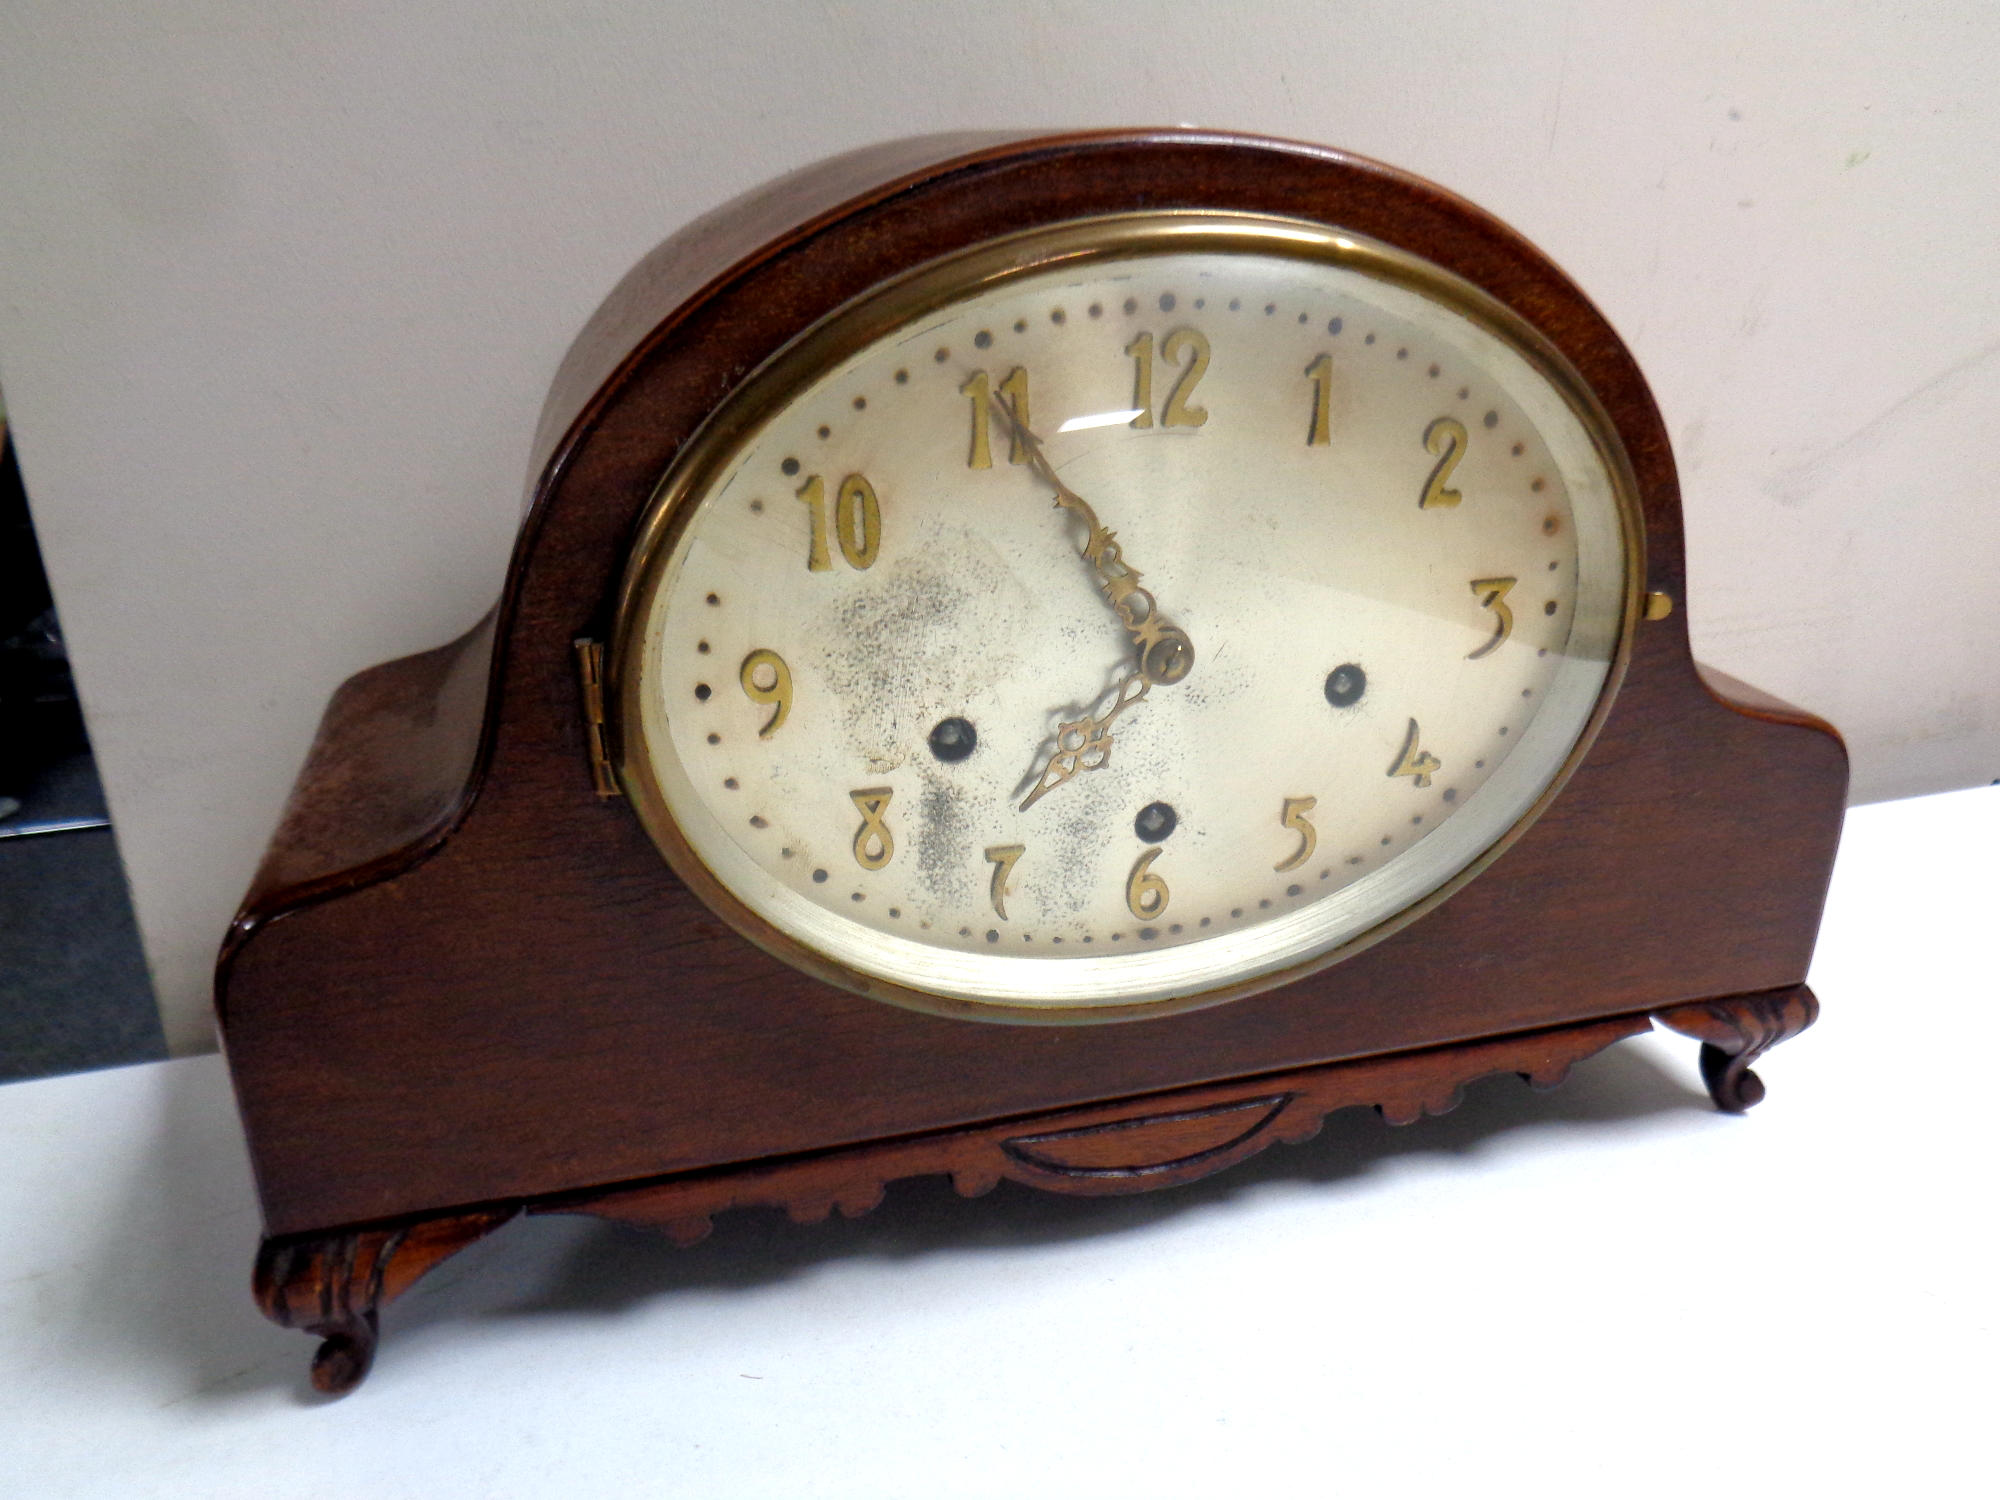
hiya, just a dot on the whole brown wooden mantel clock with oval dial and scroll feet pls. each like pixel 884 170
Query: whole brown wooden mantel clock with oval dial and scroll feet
pixel 1051 659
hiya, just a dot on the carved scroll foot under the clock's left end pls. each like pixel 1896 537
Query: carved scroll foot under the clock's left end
pixel 335 1285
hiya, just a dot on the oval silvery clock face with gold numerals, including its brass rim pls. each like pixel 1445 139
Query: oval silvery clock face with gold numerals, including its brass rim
pixel 1123 615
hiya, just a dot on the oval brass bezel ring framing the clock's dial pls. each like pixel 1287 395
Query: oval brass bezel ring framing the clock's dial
pixel 929 289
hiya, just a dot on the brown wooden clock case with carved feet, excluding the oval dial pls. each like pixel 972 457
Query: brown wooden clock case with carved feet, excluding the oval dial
pixel 467 987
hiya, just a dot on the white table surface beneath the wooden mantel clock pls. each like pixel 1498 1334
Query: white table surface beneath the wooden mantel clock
pixel 1605 1291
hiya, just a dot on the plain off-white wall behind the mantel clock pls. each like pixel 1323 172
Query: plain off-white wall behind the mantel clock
pixel 283 287
